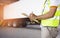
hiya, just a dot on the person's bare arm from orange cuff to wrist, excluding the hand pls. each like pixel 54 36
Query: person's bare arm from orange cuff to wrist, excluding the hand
pixel 50 14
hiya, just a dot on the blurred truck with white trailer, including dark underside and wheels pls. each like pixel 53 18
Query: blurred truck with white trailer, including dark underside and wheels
pixel 12 13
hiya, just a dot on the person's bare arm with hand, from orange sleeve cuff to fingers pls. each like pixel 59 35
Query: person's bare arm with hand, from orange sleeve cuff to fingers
pixel 50 14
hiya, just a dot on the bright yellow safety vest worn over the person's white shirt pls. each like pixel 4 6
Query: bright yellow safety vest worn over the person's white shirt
pixel 52 22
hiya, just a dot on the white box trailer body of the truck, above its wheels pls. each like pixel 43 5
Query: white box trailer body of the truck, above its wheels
pixel 15 10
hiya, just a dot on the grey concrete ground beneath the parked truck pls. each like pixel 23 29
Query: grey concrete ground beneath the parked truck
pixel 31 32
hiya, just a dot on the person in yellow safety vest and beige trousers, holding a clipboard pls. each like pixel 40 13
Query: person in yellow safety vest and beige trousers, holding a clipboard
pixel 49 19
